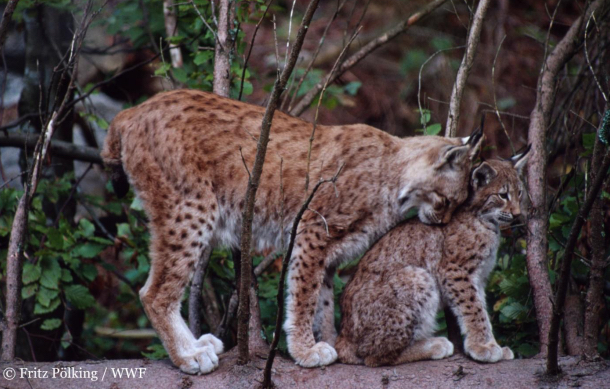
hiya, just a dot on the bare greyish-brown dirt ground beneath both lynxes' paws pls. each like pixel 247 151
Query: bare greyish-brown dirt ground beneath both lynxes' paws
pixel 455 372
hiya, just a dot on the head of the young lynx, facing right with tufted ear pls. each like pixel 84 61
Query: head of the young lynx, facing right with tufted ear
pixel 497 189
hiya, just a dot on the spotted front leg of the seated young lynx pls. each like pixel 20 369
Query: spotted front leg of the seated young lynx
pixel 466 303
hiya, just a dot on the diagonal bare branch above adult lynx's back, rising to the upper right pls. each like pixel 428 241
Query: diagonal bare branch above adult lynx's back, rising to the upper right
pixel 304 103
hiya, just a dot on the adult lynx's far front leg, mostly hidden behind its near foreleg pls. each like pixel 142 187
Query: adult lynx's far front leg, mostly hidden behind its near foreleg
pixel 324 322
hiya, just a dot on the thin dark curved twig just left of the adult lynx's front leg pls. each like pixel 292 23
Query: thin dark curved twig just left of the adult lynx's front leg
pixel 285 262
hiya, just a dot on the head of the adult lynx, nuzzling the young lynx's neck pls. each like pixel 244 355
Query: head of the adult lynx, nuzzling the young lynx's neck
pixel 438 180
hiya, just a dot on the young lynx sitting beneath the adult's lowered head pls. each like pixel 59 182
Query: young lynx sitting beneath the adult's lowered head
pixel 390 305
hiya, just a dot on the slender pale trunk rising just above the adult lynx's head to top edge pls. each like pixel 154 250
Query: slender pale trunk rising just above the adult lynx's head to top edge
pixel 474 37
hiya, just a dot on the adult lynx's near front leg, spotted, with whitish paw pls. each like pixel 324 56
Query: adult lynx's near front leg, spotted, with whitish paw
pixel 305 278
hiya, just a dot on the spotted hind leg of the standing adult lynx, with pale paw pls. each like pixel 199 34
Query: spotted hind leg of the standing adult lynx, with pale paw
pixel 180 230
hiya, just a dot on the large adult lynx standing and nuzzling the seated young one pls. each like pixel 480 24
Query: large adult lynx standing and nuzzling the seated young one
pixel 184 151
